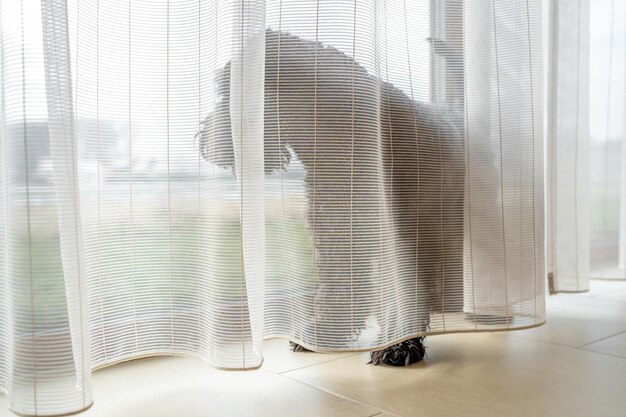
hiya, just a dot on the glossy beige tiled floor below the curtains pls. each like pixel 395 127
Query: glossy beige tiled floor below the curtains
pixel 573 366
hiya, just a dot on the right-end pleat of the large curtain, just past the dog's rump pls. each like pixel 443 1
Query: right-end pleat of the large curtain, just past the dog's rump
pixel 504 147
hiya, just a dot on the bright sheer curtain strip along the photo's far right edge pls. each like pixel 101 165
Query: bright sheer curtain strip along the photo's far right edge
pixel 608 135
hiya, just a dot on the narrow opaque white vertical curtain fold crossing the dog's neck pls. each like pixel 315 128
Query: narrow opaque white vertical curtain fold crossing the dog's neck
pixel 247 123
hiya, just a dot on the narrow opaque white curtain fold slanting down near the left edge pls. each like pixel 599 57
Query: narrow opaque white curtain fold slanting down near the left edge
pixel 64 156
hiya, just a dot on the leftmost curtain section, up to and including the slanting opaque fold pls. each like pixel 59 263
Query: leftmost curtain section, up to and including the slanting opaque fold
pixel 47 369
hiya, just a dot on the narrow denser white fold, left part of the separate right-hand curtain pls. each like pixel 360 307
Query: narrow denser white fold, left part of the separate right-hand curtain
pixel 568 163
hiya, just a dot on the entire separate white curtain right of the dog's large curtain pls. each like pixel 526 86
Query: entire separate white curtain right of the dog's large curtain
pixel 586 152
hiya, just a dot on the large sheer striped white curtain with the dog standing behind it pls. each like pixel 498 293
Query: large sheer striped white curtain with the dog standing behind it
pixel 191 177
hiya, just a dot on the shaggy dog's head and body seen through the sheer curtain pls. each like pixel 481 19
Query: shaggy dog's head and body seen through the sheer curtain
pixel 406 162
